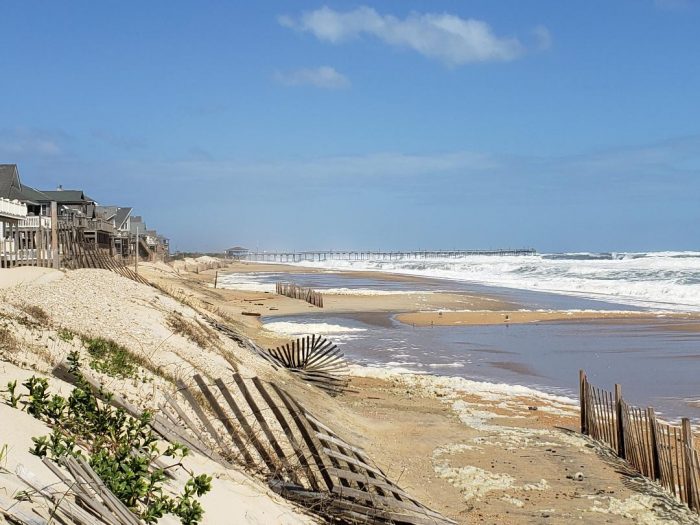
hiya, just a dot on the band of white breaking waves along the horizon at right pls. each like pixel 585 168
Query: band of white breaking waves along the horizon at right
pixel 667 280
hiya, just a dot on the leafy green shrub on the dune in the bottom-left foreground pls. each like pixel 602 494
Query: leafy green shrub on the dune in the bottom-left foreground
pixel 121 449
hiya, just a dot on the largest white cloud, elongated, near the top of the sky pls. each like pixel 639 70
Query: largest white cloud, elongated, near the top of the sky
pixel 448 38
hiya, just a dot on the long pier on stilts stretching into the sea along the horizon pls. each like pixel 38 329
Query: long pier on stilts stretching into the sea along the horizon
pixel 372 255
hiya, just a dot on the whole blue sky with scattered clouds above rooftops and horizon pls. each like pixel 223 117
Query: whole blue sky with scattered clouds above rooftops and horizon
pixel 561 126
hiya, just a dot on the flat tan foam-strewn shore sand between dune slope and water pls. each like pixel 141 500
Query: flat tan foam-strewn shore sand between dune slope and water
pixel 476 454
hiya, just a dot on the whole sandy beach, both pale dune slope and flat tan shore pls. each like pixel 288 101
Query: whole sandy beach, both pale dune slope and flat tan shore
pixel 475 451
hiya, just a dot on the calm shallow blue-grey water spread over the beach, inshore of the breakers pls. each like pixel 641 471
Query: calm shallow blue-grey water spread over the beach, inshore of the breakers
pixel 656 361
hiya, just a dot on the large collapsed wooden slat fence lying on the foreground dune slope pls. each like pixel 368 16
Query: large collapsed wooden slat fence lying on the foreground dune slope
pixel 259 425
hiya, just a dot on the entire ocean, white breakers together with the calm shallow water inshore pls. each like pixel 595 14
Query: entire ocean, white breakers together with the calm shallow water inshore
pixel 657 361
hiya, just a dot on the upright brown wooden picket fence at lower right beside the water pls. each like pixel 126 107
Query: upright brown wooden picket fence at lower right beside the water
pixel 657 450
